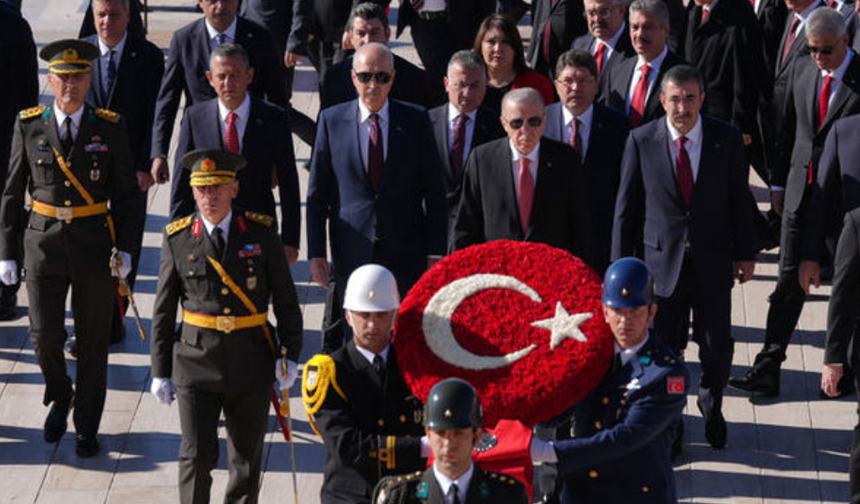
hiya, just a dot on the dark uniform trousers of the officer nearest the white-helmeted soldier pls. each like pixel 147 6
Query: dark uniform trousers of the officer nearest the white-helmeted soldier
pixel 246 418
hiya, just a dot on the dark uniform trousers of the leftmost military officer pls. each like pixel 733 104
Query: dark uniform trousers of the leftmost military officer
pixel 92 309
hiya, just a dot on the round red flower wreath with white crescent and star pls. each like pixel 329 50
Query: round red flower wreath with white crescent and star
pixel 522 322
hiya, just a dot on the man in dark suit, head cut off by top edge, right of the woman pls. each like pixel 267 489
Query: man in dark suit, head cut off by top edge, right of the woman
pixel 555 25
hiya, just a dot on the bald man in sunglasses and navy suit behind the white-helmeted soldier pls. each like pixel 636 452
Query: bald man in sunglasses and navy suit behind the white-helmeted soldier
pixel 376 181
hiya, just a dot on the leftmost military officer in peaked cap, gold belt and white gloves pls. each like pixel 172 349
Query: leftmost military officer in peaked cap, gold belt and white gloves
pixel 75 163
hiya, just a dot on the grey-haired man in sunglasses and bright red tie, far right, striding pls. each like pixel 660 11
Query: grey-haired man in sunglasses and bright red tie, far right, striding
pixel 825 87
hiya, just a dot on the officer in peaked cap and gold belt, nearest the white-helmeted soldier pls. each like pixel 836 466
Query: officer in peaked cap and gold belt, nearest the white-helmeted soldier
pixel 223 266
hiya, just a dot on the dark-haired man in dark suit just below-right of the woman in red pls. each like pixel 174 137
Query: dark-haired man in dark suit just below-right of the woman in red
pixel 598 134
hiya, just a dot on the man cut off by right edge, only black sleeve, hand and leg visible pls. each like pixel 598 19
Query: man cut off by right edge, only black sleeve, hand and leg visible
pixel 840 350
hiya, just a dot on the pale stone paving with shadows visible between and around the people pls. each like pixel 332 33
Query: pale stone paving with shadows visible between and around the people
pixel 790 450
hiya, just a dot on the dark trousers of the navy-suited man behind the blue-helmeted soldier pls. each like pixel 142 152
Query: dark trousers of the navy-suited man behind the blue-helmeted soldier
pixel 711 309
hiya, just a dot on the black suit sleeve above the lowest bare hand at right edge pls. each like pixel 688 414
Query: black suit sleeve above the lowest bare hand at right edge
pixel 845 299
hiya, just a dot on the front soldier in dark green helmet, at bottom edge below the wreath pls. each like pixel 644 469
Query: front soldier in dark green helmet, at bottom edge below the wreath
pixel 452 422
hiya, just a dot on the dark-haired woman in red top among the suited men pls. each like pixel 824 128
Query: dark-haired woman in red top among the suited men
pixel 499 42
